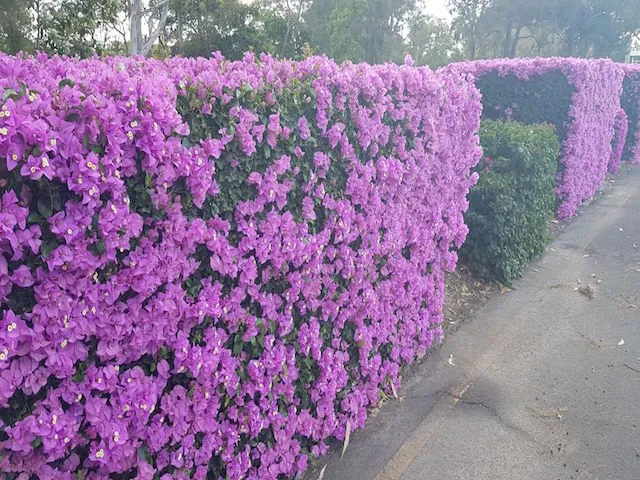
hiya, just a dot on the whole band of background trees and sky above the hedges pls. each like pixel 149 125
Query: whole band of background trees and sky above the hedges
pixel 374 31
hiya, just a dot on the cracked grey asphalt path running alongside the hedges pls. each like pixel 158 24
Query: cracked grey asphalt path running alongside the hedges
pixel 546 382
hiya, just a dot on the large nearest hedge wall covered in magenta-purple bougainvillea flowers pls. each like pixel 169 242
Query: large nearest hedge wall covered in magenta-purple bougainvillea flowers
pixel 211 268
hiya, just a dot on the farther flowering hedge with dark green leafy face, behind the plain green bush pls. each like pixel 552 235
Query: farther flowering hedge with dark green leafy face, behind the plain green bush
pixel 580 97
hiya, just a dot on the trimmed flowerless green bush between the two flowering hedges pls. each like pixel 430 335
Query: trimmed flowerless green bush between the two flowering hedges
pixel 514 199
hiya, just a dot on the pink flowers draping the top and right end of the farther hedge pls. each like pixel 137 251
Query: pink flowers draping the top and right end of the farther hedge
pixel 585 154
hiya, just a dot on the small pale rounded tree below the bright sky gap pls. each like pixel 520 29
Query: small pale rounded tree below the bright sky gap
pixel 431 41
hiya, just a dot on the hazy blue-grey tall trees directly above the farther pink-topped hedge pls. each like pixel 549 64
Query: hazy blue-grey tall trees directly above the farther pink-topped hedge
pixel 578 28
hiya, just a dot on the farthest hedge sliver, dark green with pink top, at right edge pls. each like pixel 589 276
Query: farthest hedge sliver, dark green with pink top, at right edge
pixel 631 104
